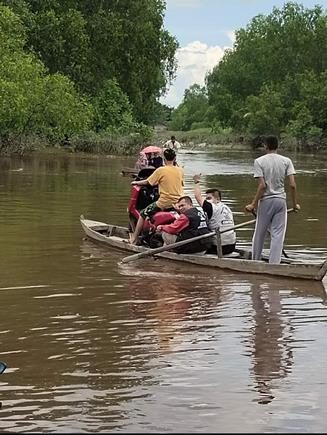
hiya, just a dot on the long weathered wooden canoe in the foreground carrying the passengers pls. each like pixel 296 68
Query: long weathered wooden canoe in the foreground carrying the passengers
pixel 117 237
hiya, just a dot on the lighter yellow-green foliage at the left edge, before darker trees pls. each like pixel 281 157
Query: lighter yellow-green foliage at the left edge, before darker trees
pixel 33 102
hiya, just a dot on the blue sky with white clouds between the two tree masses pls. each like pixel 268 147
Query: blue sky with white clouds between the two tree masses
pixel 204 29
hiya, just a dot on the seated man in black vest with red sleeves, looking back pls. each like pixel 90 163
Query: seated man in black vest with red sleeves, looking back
pixel 191 223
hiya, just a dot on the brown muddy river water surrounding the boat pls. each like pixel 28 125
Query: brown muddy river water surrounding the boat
pixel 152 346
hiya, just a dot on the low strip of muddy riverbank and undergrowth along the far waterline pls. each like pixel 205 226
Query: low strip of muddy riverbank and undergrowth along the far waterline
pixel 106 144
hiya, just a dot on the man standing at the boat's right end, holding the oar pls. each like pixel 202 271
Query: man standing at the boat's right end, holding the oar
pixel 270 200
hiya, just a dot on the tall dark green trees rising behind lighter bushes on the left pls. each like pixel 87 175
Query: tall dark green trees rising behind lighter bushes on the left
pixel 93 42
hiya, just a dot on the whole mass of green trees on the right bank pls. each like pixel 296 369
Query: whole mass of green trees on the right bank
pixel 273 81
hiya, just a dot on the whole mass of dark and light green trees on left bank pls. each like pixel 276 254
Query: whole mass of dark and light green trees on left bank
pixel 74 66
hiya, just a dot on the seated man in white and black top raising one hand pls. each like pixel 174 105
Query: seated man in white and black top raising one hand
pixel 219 216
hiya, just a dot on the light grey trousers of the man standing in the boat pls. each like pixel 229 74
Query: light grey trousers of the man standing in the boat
pixel 271 216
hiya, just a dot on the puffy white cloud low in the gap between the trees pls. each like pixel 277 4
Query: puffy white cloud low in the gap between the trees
pixel 194 61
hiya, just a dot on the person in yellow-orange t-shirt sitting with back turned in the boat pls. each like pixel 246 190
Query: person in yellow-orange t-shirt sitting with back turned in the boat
pixel 170 180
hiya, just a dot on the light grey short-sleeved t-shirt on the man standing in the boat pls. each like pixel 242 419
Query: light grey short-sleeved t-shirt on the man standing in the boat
pixel 274 168
